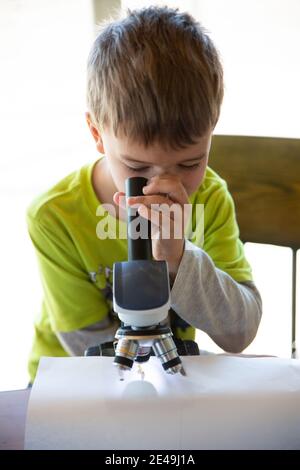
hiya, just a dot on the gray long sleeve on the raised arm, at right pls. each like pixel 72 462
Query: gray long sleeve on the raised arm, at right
pixel 212 301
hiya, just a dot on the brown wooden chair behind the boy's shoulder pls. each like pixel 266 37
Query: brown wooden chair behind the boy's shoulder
pixel 263 176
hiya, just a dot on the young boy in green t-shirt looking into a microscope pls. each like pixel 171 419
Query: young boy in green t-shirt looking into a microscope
pixel 154 91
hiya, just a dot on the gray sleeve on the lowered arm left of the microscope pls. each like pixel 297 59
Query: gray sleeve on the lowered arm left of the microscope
pixel 76 342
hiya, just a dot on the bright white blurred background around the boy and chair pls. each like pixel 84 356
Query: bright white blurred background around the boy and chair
pixel 44 136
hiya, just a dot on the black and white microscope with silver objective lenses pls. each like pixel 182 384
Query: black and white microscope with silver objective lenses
pixel 141 297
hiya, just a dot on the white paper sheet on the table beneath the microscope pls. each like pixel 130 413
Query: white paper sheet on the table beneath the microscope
pixel 223 403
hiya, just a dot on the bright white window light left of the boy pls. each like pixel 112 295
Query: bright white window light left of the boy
pixel 44 136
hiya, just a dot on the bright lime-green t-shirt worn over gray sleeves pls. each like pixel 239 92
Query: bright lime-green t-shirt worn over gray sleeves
pixel 76 265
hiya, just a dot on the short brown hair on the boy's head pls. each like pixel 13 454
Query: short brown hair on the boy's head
pixel 155 75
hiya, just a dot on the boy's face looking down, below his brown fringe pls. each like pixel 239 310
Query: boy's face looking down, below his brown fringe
pixel 125 159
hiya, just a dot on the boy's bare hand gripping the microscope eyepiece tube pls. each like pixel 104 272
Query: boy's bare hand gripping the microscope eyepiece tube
pixel 163 204
